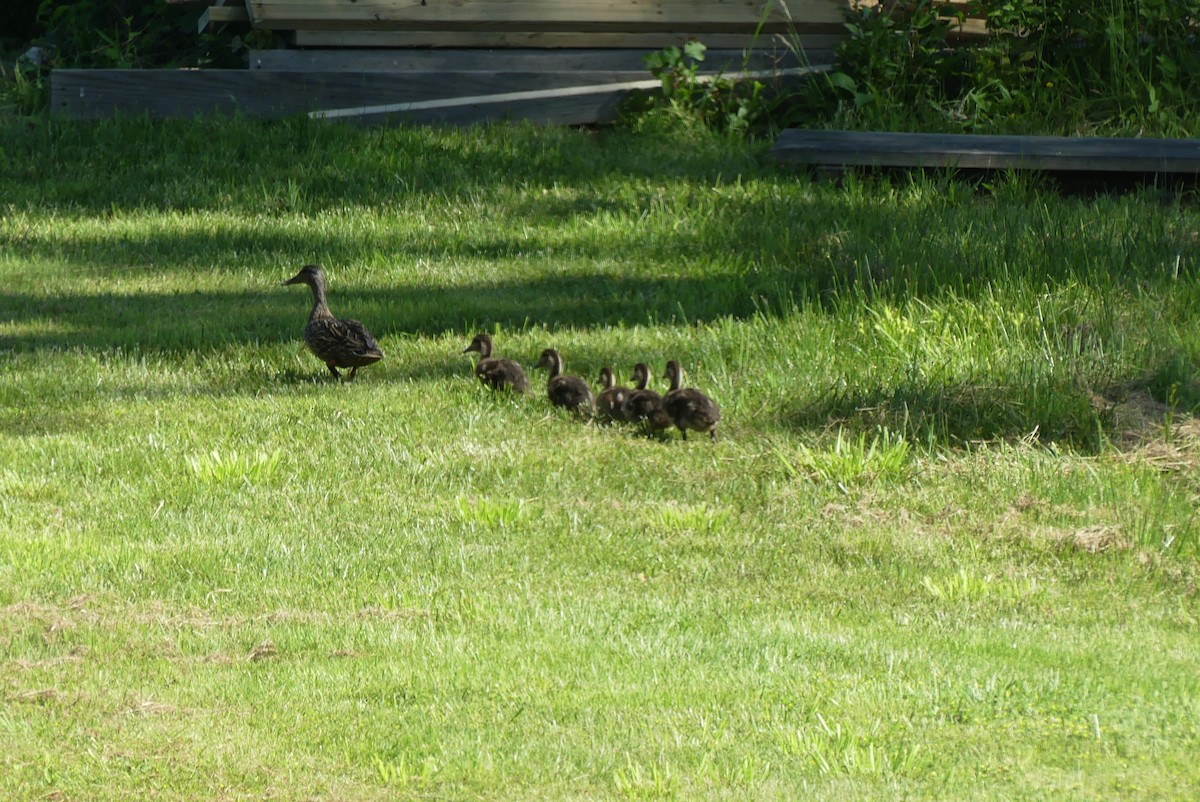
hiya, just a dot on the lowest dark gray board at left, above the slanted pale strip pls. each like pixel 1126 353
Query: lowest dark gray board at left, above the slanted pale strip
pixel 98 94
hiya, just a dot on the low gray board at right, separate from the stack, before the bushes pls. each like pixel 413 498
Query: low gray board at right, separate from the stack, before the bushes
pixel 1088 154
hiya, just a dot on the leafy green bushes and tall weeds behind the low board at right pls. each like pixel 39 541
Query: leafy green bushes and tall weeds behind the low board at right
pixel 1058 67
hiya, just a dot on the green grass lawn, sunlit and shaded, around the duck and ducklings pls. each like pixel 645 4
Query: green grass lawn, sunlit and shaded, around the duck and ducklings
pixel 946 546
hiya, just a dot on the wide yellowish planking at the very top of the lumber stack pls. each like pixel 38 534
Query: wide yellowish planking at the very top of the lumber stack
pixel 549 15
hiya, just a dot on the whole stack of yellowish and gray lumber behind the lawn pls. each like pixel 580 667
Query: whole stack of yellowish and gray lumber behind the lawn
pixel 567 62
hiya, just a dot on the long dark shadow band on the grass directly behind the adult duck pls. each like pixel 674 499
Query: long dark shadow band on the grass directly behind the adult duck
pixel 207 321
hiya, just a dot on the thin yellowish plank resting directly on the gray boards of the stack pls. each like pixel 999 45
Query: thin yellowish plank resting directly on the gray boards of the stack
pixel 533 39
